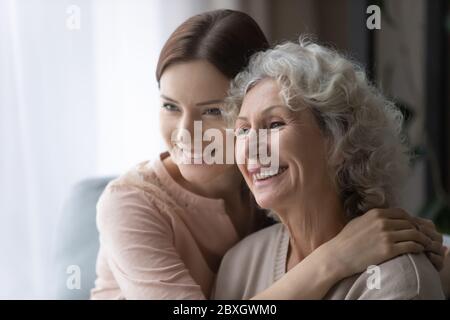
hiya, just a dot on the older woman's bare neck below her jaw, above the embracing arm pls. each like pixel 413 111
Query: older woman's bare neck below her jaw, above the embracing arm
pixel 312 222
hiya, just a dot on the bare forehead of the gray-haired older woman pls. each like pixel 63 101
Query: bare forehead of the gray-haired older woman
pixel 264 94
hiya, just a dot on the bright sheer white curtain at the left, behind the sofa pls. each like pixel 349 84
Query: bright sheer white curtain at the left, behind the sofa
pixel 47 133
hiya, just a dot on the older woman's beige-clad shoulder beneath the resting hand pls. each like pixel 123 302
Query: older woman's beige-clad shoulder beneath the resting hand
pixel 406 277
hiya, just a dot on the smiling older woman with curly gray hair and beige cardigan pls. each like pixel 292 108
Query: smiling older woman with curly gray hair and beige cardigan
pixel 340 154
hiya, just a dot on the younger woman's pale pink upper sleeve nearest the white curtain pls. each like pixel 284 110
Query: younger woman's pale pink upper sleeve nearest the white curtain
pixel 139 245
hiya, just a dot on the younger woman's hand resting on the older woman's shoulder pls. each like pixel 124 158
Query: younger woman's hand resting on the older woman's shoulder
pixel 380 235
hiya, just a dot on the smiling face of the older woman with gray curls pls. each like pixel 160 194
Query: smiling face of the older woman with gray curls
pixel 302 148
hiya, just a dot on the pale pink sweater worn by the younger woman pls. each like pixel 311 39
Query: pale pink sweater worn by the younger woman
pixel 157 239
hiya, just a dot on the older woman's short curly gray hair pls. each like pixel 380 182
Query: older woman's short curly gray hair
pixel 368 158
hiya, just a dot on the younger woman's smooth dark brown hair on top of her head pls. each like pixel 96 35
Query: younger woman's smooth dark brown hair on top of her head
pixel 225 38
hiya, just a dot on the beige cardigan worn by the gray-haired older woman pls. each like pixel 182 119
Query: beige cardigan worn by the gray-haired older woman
pixel 259 260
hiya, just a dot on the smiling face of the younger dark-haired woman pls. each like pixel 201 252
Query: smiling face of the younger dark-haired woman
pixel 192 101
